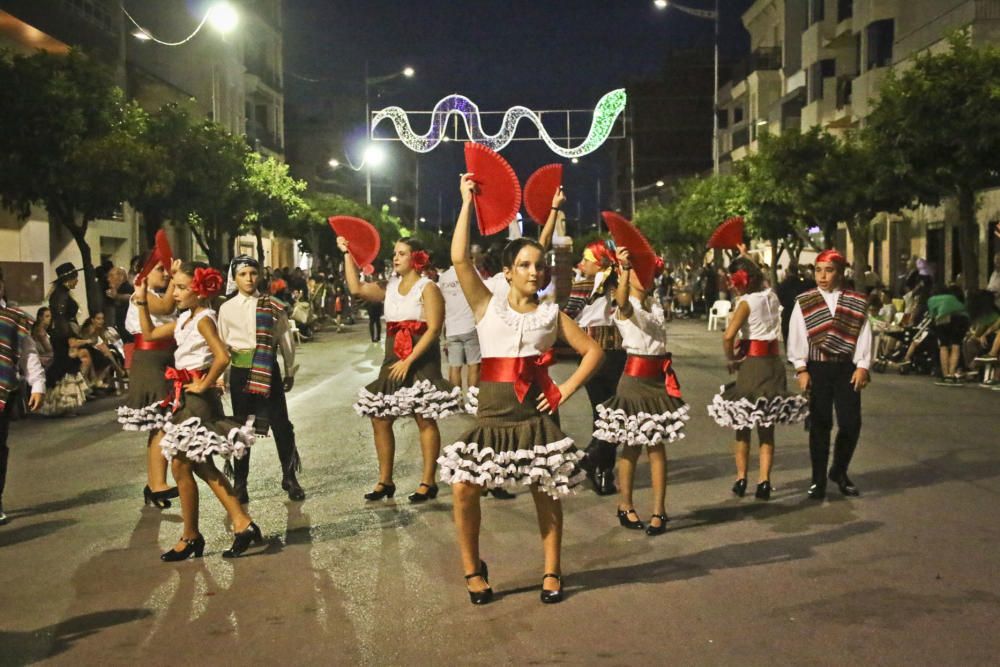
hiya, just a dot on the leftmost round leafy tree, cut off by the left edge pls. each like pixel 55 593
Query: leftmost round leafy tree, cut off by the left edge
pixel 70 143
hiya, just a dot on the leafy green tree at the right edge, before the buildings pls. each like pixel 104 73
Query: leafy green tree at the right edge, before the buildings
pixel 938 125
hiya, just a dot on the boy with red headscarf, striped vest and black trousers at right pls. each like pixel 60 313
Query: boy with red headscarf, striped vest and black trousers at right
pixel 830 346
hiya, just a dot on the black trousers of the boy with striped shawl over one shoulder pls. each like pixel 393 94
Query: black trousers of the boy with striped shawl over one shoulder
pixel 269 412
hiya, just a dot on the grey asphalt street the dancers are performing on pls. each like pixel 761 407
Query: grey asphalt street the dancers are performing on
pixel 904 574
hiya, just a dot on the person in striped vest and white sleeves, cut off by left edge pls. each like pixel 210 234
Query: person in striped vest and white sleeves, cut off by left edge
pixel 17 350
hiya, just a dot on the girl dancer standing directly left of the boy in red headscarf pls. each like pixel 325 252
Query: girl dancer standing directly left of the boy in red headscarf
pixel 759 398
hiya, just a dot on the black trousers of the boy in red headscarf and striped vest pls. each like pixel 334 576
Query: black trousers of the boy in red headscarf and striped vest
pixel 831 389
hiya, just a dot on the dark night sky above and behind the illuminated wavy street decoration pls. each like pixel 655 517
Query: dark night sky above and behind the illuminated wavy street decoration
pixel 544 54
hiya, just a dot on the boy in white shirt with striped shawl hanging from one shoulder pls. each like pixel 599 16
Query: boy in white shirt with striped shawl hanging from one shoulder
pixel 252 325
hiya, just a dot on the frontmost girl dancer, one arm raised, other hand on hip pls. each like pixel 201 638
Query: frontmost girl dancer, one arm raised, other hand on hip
pixel 516 438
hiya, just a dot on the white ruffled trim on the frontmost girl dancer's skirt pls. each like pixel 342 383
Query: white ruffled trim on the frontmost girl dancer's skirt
pixel 554 467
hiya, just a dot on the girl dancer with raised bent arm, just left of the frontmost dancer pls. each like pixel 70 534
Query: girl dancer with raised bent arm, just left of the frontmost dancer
pixel 410 382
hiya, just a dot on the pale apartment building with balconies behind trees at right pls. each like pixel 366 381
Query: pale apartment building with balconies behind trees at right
pixel 822 63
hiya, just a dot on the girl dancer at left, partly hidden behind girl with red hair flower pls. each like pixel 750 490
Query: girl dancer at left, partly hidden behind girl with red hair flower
pixel 147 384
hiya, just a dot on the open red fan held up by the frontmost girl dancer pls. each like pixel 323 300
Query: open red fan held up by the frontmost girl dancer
pixel 499 196
